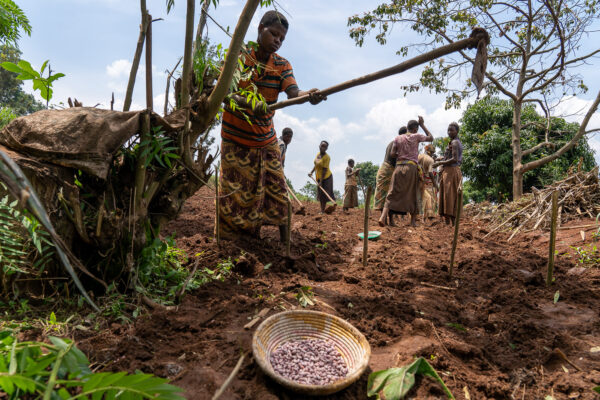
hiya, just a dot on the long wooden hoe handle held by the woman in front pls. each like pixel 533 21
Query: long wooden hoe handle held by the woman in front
pixel 384 73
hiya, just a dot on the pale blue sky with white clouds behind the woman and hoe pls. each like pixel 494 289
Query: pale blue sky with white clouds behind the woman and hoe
pixel 92 42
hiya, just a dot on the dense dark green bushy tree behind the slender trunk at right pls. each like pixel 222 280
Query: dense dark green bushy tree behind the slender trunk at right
pixel 487 158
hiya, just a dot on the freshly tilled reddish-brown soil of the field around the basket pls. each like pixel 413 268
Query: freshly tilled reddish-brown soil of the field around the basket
pixel 490 331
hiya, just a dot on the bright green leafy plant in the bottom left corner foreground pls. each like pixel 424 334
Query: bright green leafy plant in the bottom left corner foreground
pixel 59 370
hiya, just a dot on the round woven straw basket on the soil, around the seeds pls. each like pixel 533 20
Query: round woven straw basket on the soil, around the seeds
pixel 295 325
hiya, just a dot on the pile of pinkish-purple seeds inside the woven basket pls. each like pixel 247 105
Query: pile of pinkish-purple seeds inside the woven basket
pixel 309 361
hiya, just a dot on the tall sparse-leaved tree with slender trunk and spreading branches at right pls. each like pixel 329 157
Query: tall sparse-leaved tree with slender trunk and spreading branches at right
pixel 534 53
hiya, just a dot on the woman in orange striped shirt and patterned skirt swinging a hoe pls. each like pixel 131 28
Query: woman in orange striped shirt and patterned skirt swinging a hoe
pixel 252 181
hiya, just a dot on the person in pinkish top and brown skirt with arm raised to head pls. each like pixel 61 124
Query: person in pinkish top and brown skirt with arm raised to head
pixel 402 196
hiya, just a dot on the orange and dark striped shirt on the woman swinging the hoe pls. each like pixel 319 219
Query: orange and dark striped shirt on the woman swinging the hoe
pixel 270 79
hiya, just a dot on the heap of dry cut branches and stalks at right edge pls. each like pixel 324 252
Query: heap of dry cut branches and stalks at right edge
pixel 578 196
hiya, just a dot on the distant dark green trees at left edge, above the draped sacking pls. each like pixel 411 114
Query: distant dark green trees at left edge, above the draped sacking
pixel 11 88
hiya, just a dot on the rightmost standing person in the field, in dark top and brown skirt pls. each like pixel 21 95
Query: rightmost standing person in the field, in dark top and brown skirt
pixel 451 175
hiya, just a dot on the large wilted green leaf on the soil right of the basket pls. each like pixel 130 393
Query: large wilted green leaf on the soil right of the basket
pixel 395 383
